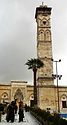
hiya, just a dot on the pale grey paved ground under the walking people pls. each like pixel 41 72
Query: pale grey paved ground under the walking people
pixel 28 120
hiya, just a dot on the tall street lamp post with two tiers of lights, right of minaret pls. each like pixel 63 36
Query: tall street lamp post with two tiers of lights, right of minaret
pixel 57 77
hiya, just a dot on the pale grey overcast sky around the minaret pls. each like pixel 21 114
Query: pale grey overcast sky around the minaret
pixel 18 41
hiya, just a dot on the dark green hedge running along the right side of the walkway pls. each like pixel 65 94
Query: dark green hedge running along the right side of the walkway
pixel 44 116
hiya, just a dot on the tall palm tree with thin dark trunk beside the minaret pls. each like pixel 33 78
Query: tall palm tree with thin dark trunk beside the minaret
pixel 34 64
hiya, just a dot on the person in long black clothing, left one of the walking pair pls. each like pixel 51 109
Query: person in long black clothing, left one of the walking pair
pixel 10 112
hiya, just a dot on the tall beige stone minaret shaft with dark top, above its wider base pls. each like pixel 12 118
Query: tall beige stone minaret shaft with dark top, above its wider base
pixel 44 45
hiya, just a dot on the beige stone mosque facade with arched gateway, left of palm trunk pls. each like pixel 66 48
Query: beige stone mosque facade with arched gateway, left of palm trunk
pixel 16 90
